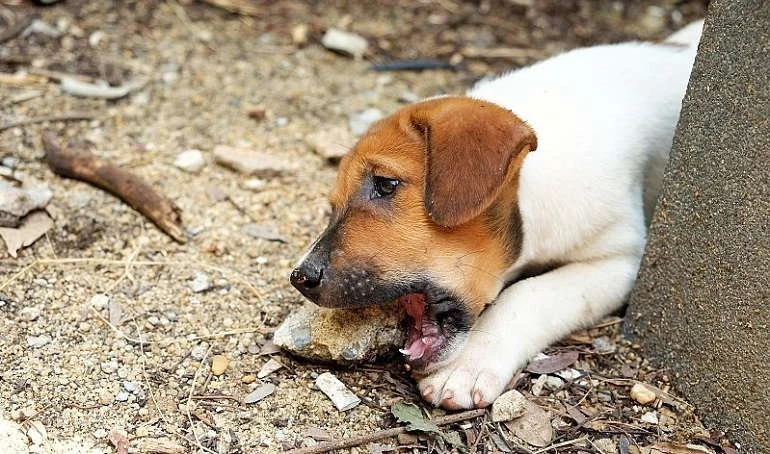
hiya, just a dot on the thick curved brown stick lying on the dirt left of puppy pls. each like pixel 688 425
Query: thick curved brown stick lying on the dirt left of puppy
pixel 128 187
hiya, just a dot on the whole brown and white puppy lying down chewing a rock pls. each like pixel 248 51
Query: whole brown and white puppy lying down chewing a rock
pixel 504 219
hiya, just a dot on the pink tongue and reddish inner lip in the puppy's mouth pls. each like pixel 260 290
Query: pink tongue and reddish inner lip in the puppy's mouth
pixel 426 336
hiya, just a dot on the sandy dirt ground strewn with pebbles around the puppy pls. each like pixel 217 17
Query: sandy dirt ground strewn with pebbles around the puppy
pixel 101 333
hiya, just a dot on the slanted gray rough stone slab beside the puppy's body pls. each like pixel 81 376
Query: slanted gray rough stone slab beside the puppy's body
pixel 701 304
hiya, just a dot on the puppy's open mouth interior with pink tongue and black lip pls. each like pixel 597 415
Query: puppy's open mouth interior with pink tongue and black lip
pixel 433 324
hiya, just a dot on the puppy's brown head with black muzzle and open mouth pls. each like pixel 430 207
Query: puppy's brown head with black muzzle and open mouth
pixel 424 211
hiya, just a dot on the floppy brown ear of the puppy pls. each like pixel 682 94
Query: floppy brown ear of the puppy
pixel 470 148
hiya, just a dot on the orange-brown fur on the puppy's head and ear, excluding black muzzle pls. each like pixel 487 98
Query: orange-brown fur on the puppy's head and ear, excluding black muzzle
pixel 454 215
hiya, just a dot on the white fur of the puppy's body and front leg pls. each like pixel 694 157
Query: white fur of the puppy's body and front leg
pixel 604 118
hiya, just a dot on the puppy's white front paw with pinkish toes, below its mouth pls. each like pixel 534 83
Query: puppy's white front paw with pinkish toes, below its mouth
pixel 470 381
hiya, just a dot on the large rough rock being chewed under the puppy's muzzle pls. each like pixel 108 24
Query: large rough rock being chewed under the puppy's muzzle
pixel 342 335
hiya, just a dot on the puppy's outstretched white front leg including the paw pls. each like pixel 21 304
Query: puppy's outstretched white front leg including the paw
pixel 525 319
